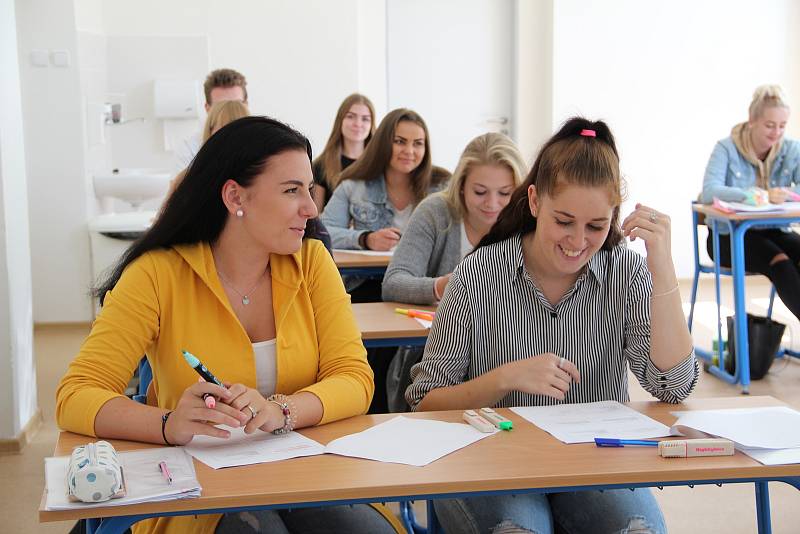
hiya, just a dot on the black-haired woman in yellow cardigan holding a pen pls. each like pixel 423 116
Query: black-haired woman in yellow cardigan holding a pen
pixel 226 274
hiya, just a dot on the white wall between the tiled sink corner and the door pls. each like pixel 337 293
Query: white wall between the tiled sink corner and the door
pixel 300 58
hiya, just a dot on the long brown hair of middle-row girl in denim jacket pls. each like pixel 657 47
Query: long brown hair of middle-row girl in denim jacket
pixel 378 153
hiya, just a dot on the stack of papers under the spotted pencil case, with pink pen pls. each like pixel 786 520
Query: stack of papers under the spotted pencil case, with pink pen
pixel 144 481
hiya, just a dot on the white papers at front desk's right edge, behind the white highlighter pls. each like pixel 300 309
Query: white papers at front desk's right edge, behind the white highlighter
pixel 768 435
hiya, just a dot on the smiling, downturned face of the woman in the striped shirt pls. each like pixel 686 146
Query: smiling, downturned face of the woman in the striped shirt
pixel 571 227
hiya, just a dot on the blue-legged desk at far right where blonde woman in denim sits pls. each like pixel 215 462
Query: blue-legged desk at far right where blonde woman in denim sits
pixel 737 224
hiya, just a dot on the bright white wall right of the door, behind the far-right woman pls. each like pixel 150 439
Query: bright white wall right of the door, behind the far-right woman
pixel 671 79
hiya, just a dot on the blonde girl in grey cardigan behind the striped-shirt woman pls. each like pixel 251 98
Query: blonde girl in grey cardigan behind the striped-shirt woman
pixel 444 228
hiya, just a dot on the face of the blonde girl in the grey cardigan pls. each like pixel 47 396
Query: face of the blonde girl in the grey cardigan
pixel 487 190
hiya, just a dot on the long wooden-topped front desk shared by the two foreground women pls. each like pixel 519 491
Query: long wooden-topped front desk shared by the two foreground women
pixel 524 460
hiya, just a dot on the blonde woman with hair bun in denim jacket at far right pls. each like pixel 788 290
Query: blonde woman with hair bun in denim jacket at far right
pixel 757 154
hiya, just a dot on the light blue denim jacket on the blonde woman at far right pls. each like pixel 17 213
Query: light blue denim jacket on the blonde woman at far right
pixel 728 174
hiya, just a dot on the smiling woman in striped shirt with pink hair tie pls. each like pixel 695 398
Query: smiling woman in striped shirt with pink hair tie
pixel 548 309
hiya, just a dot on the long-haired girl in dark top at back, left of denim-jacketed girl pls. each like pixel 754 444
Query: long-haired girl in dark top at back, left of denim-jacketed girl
pixel 352 131
